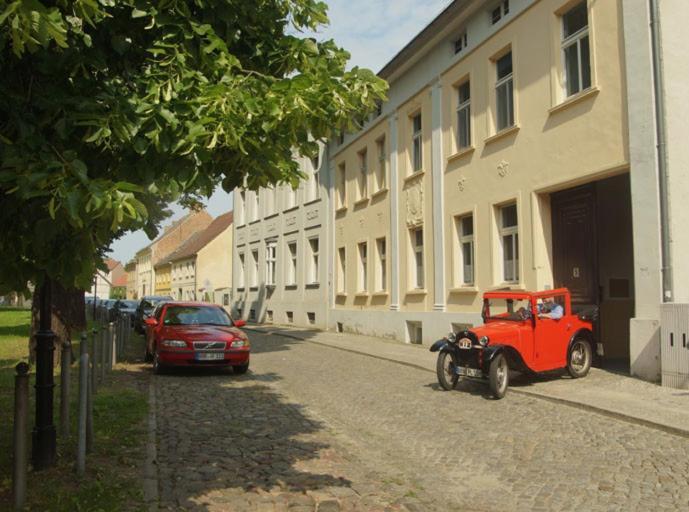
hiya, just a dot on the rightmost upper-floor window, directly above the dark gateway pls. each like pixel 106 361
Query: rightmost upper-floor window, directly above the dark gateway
pixel 575 49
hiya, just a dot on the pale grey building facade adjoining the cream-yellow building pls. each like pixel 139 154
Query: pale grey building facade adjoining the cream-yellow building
pixel 280 251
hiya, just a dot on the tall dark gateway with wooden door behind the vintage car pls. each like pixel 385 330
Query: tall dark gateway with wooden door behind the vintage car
pixel 593 257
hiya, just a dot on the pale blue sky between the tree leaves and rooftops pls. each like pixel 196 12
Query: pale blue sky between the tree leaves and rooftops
pixel 373 31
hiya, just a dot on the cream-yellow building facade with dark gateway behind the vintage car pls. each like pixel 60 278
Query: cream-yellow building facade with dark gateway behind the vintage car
pixel 502 160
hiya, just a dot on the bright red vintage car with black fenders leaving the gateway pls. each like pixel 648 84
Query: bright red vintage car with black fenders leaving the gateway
pixel 523 331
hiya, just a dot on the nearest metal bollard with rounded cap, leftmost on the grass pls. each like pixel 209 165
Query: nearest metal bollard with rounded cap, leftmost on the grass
pixel 21 420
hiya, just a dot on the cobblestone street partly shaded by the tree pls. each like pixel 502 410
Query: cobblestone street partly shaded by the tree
pixel 315 428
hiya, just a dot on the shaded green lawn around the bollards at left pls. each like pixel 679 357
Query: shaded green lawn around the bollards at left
pixel 112 481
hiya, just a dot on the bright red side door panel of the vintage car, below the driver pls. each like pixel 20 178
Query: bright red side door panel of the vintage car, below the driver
pixel 551 338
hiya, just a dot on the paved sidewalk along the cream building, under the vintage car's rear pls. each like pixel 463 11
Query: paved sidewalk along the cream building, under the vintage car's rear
pixel 606 393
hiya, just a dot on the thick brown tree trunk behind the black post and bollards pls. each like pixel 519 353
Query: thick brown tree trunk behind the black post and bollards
pixel 68 317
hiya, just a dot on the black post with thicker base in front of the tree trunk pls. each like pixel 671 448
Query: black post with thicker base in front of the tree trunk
pixel 43 455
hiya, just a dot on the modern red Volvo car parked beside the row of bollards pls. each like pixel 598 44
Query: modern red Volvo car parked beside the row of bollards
pixel 195 334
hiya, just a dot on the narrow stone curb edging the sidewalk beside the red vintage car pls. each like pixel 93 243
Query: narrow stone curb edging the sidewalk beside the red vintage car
pixel 561 401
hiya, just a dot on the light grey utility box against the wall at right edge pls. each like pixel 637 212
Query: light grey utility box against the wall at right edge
pixel 674 345
